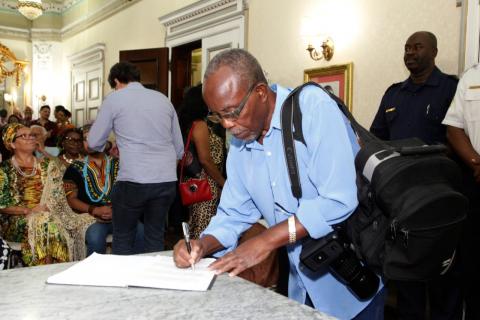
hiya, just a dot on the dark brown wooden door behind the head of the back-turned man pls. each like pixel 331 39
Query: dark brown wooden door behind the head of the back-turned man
pixel 153 65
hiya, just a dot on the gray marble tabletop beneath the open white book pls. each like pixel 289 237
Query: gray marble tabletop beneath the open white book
pixel 25 295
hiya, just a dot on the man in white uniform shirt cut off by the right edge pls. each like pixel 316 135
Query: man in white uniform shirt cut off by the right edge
pixel 463 133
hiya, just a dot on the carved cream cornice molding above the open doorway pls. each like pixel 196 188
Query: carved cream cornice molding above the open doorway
pixel 201 14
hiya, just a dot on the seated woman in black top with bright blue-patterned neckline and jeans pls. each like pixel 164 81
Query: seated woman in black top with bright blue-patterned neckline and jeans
pixel 88 185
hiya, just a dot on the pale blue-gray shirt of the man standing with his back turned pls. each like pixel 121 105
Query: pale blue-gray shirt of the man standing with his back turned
pixel 147 134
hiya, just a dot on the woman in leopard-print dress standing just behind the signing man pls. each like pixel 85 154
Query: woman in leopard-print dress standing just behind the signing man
pixel 209 148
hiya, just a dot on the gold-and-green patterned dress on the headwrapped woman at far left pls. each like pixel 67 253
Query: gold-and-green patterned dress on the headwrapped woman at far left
pixel 40 236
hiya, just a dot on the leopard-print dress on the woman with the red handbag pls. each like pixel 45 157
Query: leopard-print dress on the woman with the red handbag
pixel 202 212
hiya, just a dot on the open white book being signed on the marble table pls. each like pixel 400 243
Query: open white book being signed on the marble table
pixel 141 271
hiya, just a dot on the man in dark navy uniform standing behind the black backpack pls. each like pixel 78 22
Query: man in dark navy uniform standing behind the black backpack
pixel 416 108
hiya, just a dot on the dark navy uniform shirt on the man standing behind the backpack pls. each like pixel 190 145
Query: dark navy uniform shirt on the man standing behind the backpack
pixel 412 110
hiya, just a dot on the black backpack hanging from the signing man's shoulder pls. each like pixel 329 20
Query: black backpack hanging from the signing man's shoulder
pixel 409 219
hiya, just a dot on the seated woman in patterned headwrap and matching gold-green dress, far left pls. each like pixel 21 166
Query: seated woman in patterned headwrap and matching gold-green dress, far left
pixel 24 213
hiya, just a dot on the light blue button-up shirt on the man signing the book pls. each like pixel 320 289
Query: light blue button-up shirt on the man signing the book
pixel 258 185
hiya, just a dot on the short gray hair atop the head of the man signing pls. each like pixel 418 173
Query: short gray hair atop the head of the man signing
pixel 241 62
